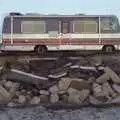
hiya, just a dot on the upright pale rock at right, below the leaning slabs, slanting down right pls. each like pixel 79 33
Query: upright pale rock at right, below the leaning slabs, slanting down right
pixel 108 90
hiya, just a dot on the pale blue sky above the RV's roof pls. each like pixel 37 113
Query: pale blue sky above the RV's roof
pixel 60 7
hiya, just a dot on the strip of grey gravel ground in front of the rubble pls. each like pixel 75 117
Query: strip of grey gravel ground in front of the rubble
pixel 40 113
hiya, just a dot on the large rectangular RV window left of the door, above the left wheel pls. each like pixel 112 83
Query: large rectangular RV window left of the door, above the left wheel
pixel 35 27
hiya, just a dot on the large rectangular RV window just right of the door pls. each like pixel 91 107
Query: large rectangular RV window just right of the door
pixel 85 26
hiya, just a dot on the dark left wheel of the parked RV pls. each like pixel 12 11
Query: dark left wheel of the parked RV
pixel 41 50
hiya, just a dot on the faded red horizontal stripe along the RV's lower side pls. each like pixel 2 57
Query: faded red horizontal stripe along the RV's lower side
pixel 63 41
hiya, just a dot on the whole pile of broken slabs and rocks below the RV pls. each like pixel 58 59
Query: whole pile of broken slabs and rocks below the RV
pixel 68 82
